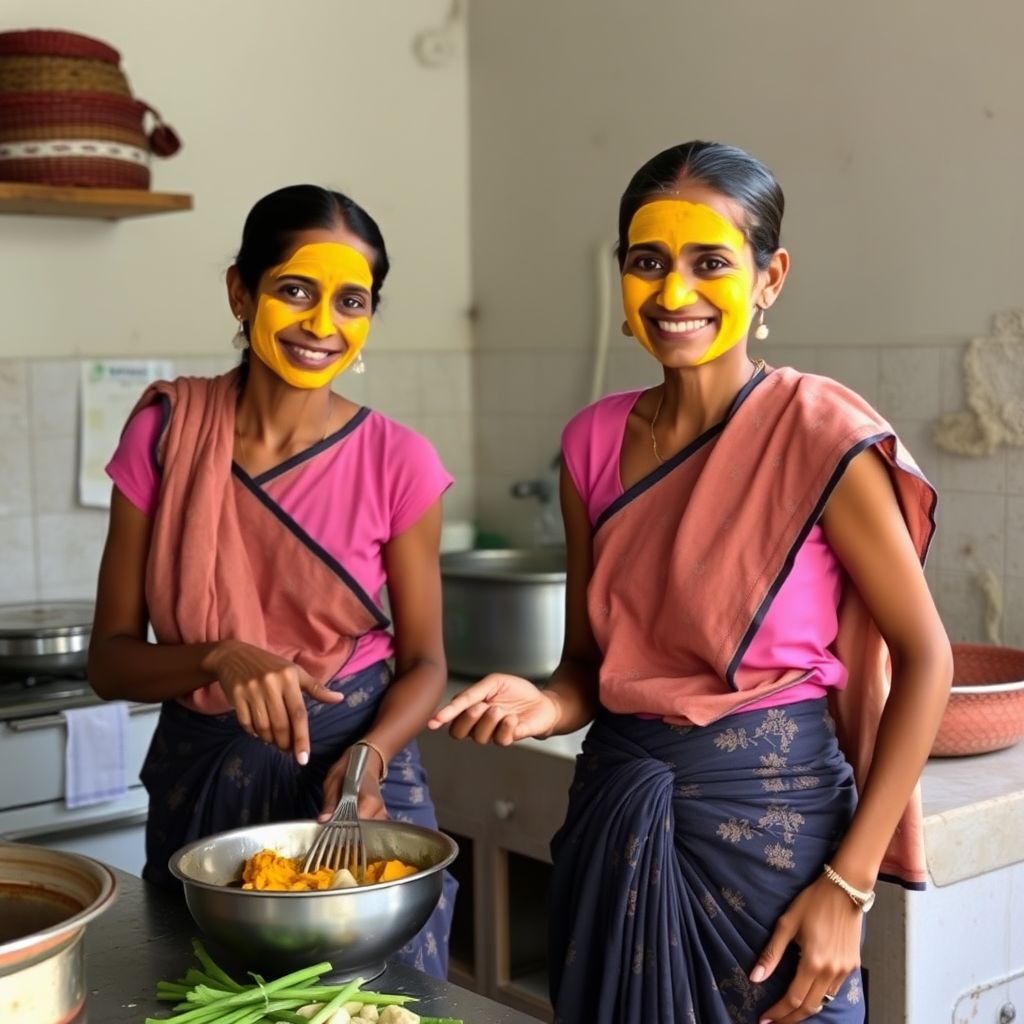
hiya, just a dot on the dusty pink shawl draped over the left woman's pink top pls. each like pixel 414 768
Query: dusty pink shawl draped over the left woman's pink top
pixel 225 562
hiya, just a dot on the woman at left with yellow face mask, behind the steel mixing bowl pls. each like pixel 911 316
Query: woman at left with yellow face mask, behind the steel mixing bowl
pixel 255 520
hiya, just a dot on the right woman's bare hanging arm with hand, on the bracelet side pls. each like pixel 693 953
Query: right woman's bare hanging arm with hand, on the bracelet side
pixel 865 527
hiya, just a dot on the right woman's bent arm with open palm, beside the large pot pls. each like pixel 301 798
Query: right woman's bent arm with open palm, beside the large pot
pixel 502 709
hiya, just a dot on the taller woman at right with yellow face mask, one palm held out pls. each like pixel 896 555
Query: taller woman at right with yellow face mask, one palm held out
pixel 745 549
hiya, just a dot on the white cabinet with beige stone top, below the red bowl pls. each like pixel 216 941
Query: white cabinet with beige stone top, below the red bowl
pixel 955 954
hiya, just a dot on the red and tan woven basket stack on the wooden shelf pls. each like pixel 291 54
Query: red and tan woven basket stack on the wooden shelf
pixel 68 116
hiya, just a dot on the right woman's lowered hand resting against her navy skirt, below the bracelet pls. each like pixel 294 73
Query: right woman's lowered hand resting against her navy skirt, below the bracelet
pixel 827 926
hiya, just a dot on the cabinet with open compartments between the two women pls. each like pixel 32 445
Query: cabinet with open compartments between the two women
pixel 502 805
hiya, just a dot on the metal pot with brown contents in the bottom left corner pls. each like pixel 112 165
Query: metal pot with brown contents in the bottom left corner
pixel 47 901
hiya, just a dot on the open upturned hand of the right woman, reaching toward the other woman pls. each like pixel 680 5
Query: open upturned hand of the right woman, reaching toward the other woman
pixel 499 710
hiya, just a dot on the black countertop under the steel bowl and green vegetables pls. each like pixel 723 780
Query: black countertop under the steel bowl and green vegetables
pixel 147 937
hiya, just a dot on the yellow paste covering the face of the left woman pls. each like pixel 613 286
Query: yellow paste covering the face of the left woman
pixel 328 268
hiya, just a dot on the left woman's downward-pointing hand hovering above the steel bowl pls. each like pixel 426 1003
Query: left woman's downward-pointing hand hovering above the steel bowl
pixel 267 693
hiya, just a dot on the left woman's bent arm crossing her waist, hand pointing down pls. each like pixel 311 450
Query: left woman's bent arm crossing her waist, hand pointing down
pixel 267 691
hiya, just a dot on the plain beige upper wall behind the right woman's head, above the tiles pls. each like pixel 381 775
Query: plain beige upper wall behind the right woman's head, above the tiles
pixel 897 129
